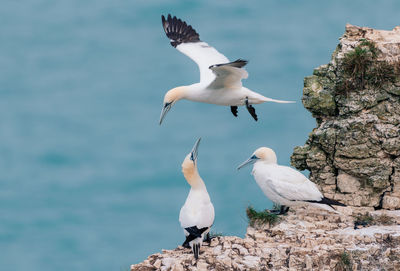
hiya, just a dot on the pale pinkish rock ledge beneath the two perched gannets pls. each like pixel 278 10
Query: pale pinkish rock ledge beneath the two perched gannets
pixel 302 240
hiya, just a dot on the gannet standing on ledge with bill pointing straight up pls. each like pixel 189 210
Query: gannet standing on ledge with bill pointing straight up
pixel 197 214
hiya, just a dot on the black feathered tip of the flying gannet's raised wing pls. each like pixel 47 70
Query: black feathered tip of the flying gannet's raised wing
pixel 178 31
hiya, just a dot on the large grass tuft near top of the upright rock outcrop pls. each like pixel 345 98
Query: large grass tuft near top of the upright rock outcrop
pixel 361 68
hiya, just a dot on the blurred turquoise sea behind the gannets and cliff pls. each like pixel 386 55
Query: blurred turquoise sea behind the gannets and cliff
pixel 88 179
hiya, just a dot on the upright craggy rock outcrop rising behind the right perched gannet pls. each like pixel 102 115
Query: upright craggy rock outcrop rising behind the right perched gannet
pixel 354 152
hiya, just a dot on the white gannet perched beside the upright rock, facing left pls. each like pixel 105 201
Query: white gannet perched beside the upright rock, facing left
pixel 285 185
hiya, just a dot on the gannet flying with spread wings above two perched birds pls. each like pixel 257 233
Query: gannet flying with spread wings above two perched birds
pixel 220 80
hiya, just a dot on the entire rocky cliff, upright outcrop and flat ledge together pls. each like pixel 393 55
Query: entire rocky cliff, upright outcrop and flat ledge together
pixel 353 155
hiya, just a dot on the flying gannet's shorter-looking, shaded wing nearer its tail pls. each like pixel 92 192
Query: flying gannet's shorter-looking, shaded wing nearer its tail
pixel 229 75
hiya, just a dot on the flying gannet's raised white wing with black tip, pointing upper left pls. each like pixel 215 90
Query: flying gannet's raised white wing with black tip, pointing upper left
pixel 184 38
